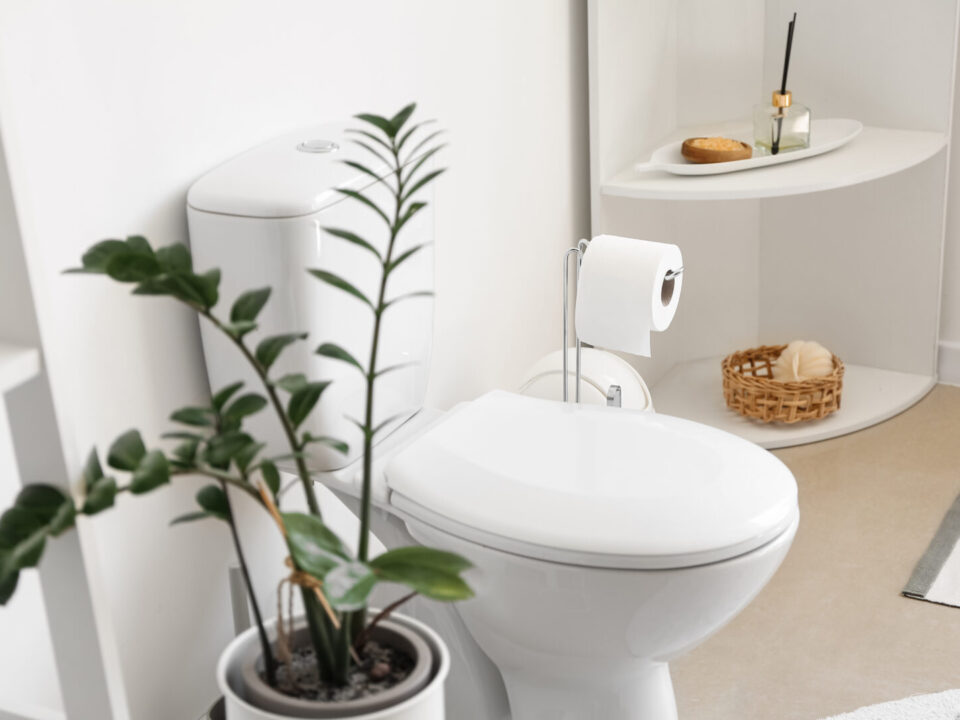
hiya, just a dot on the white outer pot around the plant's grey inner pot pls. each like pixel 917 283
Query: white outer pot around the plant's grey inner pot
pixel 428 704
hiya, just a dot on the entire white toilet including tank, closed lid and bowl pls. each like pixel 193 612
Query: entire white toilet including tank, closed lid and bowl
pixel 605 541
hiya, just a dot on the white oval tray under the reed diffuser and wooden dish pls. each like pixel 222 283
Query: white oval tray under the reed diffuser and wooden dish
pixel 825 135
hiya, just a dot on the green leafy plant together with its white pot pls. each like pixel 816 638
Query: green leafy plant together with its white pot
pixel 338 659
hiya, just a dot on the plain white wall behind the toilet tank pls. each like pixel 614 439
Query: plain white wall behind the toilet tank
pixel 110 109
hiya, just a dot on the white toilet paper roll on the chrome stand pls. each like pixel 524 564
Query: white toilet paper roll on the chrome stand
pixel 623 293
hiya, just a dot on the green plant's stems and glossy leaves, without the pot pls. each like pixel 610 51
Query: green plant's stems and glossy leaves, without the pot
pixel 212 443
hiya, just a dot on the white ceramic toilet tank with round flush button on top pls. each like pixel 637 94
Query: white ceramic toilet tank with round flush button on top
pixel 259 218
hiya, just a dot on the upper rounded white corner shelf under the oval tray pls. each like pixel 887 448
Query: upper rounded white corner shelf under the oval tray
pixel 875 153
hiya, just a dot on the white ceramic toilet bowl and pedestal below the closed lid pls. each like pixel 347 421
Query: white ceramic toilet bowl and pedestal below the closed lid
pixel 575 642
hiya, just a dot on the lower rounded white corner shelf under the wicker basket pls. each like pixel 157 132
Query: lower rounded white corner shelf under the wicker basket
pixel 693 390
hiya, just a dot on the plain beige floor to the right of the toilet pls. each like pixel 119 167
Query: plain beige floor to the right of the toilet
pixel 831 632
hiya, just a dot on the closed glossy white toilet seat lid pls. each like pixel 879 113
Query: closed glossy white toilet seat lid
pixel 592 485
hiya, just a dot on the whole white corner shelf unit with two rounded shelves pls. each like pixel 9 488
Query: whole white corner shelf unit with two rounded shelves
pixel 844 248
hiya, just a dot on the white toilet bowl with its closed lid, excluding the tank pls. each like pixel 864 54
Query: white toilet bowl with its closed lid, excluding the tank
pixel 605 543
